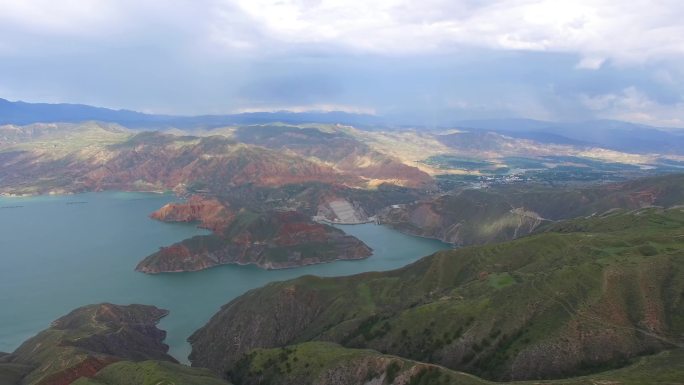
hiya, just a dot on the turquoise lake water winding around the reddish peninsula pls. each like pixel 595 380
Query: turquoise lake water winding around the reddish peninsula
pixel 61 252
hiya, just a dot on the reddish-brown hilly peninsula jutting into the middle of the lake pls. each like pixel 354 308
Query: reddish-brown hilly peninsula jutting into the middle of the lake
pixel 271 240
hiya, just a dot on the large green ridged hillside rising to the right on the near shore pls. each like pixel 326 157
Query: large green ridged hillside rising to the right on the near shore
pixel 582 296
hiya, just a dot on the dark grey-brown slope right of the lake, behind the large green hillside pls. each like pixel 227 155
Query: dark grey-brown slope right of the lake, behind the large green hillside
pixel 472 217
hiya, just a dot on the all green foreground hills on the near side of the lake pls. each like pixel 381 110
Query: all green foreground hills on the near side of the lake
pixel 518 310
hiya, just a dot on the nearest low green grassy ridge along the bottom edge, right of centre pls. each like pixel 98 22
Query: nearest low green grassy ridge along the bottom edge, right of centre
pixel 326 363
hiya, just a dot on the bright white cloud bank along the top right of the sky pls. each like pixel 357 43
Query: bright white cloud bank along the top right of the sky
pixel 629 33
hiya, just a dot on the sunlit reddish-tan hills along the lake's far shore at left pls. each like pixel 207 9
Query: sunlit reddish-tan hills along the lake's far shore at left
pixel 155 161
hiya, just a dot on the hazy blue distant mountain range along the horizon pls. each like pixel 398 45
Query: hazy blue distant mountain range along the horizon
pixel 610 134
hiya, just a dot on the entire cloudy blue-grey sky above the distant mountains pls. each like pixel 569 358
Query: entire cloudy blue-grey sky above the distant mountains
pixel 427 61
